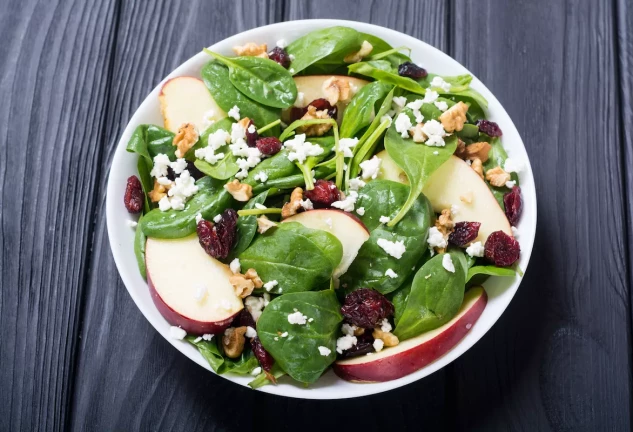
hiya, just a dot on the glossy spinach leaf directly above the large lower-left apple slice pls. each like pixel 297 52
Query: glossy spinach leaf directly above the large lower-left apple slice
pixel 210 200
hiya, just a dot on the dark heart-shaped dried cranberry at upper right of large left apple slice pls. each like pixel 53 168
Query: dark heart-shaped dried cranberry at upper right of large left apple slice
pixel 218 240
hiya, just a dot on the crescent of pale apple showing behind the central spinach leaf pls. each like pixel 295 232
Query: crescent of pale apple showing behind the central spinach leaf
pixel 346 227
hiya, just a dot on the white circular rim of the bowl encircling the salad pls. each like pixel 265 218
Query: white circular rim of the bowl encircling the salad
pixel 128 270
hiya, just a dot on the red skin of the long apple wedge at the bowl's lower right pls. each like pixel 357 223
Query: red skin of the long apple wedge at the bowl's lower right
pixel 415 358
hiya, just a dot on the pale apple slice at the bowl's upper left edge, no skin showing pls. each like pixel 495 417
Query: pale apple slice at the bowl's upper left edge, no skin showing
pixel 187 100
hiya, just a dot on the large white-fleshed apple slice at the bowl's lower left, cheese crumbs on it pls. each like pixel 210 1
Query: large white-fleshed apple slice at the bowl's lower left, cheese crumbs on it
pixel 190 288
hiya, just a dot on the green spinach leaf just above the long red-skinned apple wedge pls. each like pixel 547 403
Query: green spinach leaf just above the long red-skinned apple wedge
pixel 435 299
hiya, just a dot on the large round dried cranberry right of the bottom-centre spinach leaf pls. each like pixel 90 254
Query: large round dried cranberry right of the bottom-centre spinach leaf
pixel 366 308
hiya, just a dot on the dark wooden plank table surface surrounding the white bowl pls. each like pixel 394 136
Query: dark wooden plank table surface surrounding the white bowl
pixel 75 352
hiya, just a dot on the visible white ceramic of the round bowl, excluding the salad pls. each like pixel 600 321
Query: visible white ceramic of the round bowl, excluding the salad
pixel 500 290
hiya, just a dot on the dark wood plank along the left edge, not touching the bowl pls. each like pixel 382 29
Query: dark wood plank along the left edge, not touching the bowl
pixel 54 77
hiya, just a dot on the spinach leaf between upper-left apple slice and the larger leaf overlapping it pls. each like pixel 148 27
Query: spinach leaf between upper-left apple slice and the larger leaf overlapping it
pixel 216 78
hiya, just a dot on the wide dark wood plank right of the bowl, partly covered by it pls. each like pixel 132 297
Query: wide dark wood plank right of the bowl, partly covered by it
pixel 558 359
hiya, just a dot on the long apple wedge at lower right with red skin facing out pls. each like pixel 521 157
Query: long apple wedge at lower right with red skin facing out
pixel 415 353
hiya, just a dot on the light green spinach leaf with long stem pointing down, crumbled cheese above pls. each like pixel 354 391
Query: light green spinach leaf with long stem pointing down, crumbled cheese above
pixel 418 161
